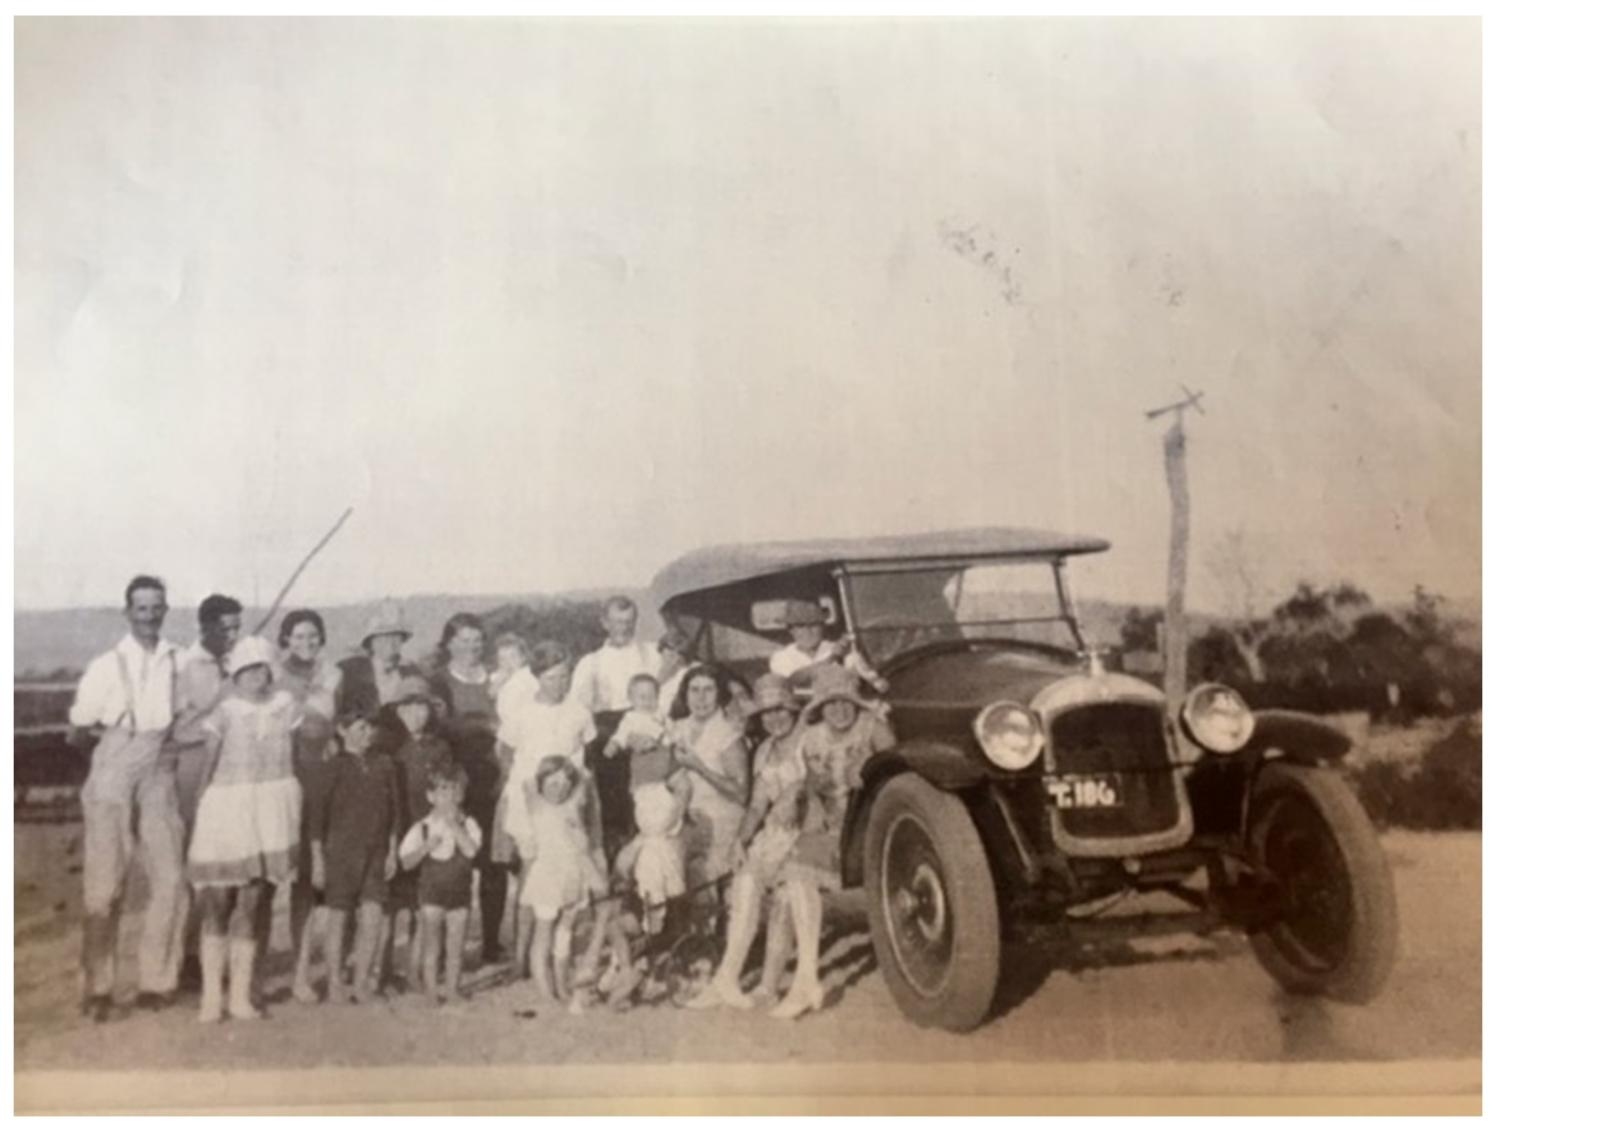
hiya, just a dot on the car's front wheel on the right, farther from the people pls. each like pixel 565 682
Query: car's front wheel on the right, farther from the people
pixel 1337 927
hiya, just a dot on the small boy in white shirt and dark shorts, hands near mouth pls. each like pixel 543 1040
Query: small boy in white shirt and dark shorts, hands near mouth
pixel 439 850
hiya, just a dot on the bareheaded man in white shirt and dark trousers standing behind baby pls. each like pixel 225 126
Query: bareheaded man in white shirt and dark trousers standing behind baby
pixel 601 685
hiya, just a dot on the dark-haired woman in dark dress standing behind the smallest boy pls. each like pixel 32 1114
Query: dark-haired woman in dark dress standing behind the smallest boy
pixel 463 682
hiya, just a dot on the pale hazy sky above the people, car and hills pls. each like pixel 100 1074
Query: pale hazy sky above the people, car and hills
pixel 553 303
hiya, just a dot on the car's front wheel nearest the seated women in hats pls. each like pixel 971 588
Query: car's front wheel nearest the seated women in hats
pixel 932 906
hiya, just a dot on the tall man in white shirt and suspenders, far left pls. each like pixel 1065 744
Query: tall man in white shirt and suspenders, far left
pixel 130 802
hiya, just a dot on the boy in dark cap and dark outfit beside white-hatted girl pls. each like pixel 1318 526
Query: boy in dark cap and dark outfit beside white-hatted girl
pixel 353 853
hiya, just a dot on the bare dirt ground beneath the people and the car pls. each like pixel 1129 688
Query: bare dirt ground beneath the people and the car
pixel 1175 999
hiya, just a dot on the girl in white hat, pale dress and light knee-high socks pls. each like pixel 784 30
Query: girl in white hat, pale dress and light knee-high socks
pixel 247 826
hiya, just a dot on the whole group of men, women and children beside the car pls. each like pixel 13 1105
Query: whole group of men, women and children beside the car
pixel 390 799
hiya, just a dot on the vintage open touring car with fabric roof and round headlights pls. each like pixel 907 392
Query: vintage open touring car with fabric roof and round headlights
pixel 1031 788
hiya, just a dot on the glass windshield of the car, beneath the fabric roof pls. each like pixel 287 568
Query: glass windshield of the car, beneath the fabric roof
pixel 902 609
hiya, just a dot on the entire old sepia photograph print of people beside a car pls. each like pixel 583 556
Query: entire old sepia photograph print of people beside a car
pixel 748 565
